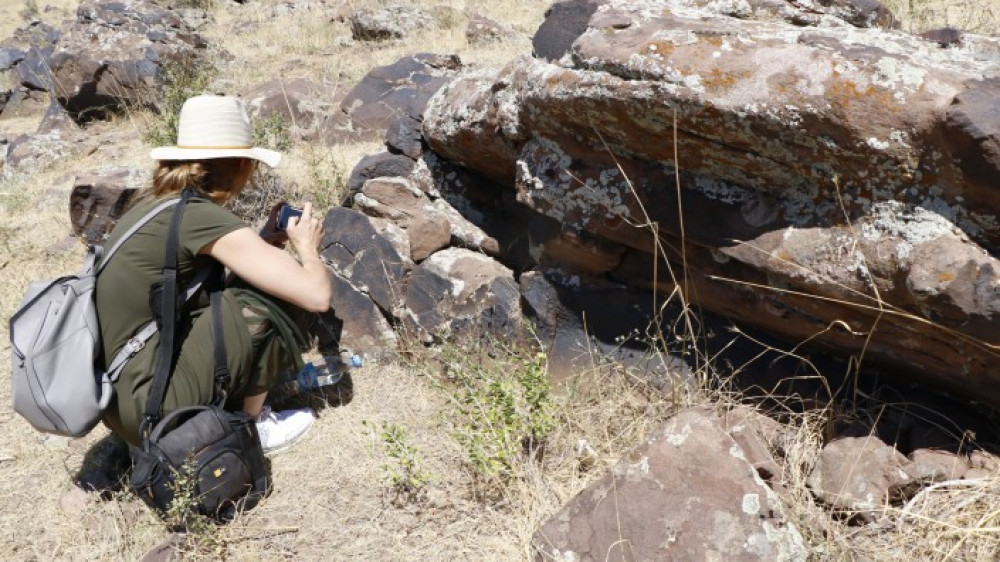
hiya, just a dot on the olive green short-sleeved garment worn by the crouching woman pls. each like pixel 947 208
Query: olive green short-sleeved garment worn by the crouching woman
pixel 123 308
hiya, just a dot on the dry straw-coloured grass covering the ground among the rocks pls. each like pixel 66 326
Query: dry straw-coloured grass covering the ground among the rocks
pixel 333 497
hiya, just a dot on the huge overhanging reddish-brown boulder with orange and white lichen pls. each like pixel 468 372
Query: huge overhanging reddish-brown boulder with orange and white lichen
pixel 836 176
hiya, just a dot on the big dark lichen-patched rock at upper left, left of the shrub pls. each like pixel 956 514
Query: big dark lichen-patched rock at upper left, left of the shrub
pixel 125 68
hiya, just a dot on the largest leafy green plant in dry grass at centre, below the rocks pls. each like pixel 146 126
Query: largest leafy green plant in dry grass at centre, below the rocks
pixel 503 408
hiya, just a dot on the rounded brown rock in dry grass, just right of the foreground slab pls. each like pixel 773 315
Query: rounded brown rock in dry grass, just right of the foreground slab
pixel 856 475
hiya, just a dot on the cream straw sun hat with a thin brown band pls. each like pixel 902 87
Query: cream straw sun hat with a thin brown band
pixel 214 127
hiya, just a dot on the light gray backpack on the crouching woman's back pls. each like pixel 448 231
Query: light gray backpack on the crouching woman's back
pixel 55 340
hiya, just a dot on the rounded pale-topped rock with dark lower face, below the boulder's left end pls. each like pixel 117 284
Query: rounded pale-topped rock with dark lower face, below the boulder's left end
pixel 461 291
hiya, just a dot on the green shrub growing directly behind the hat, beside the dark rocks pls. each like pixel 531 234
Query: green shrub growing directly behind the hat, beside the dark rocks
pixel 182 79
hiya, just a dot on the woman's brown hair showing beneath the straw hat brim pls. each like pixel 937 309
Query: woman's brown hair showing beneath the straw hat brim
pixel 213 178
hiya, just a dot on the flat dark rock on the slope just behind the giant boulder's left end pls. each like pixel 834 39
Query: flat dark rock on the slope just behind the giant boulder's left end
pixel 399 89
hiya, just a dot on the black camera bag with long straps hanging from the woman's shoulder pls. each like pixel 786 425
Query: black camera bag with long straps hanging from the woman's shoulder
pixel 217 452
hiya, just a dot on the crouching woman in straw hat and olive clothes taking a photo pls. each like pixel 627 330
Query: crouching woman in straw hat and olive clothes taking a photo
pixel 214 156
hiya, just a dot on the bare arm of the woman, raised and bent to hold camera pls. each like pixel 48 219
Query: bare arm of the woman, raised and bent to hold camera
pixel 304 283
